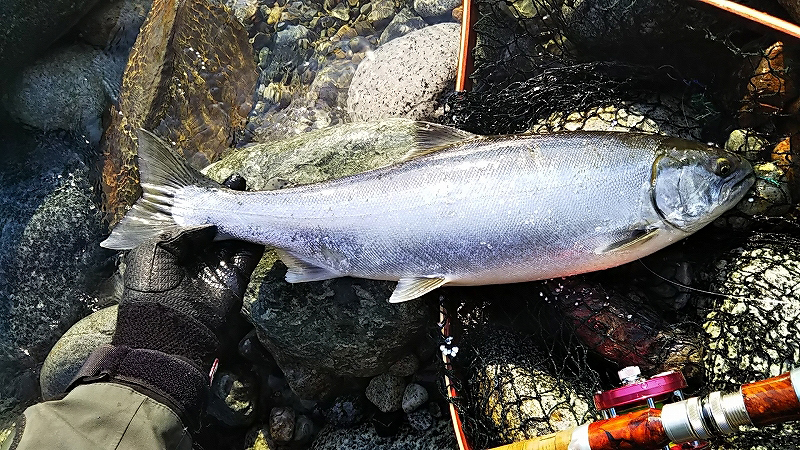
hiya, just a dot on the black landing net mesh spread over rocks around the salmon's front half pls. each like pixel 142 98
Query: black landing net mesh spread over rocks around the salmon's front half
pixel 531 355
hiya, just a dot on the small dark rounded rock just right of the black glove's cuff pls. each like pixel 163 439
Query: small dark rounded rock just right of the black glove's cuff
pixel 233 399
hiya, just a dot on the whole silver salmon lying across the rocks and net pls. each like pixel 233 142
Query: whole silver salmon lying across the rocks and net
pixel 462 209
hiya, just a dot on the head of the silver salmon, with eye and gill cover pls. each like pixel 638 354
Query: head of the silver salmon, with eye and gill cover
pixel 693 183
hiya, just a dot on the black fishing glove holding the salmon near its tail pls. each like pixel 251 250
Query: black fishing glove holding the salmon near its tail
pixel 178 293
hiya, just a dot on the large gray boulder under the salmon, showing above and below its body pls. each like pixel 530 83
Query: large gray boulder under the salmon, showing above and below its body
pixel 324 331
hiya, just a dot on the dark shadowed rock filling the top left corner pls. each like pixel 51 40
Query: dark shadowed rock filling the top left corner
pixel 30 27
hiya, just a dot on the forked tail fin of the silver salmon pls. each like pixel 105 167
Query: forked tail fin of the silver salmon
pixel 162 174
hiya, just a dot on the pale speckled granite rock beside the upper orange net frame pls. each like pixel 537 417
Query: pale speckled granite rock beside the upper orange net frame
pixel 406 76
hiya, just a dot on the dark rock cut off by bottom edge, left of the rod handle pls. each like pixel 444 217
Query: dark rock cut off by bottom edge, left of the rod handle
pixel 364 437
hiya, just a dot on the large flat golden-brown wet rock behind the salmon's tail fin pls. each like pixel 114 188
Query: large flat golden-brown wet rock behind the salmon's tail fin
pixel 186 87
